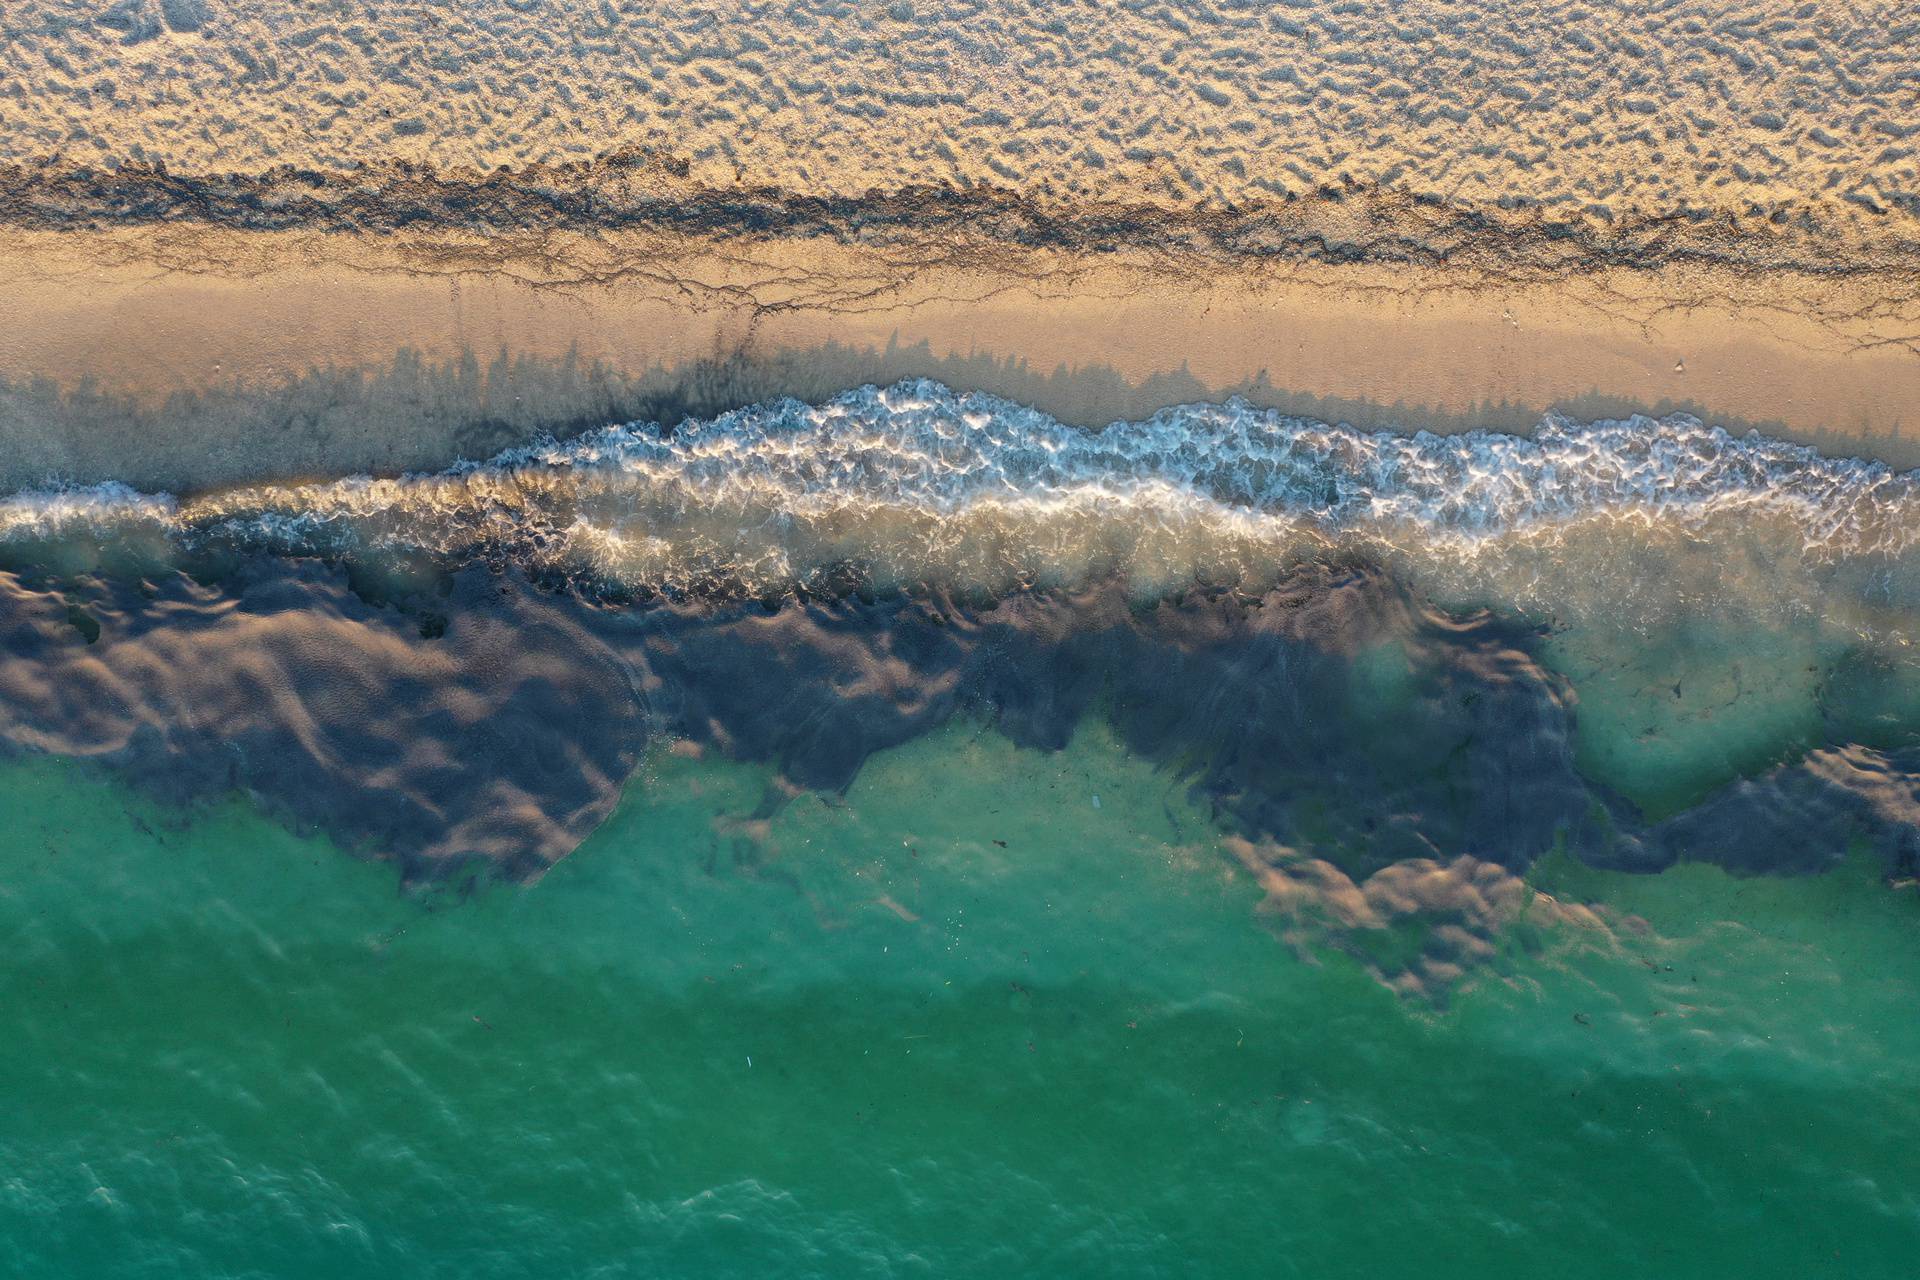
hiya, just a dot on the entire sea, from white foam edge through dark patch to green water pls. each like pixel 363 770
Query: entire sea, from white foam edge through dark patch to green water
pixel 913 838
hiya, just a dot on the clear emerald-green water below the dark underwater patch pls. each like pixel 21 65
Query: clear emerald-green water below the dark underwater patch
pixel 994 1012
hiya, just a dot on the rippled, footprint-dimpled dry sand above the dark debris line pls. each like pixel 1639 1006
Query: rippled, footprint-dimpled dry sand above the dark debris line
pixel 1604 107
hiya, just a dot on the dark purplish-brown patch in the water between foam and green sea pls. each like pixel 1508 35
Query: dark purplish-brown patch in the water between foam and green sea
pixel 494 723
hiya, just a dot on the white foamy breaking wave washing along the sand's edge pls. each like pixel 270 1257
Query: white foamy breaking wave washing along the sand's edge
pixel 923 485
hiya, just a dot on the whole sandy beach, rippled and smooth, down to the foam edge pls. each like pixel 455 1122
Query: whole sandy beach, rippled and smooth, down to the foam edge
pixel 268 237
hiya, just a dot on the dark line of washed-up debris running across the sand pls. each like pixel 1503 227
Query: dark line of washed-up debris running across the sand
pixel 948 225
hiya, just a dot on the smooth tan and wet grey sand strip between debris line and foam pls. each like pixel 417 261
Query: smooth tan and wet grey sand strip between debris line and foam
pixel 197 356
